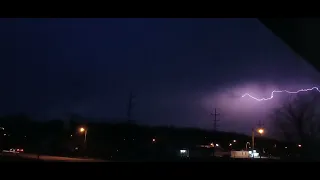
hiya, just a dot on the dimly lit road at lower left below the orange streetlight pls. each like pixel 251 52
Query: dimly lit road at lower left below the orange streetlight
pixel 51 158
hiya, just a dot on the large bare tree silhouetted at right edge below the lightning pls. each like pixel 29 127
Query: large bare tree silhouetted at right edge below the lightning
pixel 297 120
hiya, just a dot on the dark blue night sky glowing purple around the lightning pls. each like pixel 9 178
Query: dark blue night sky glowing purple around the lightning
pixel 179 69
